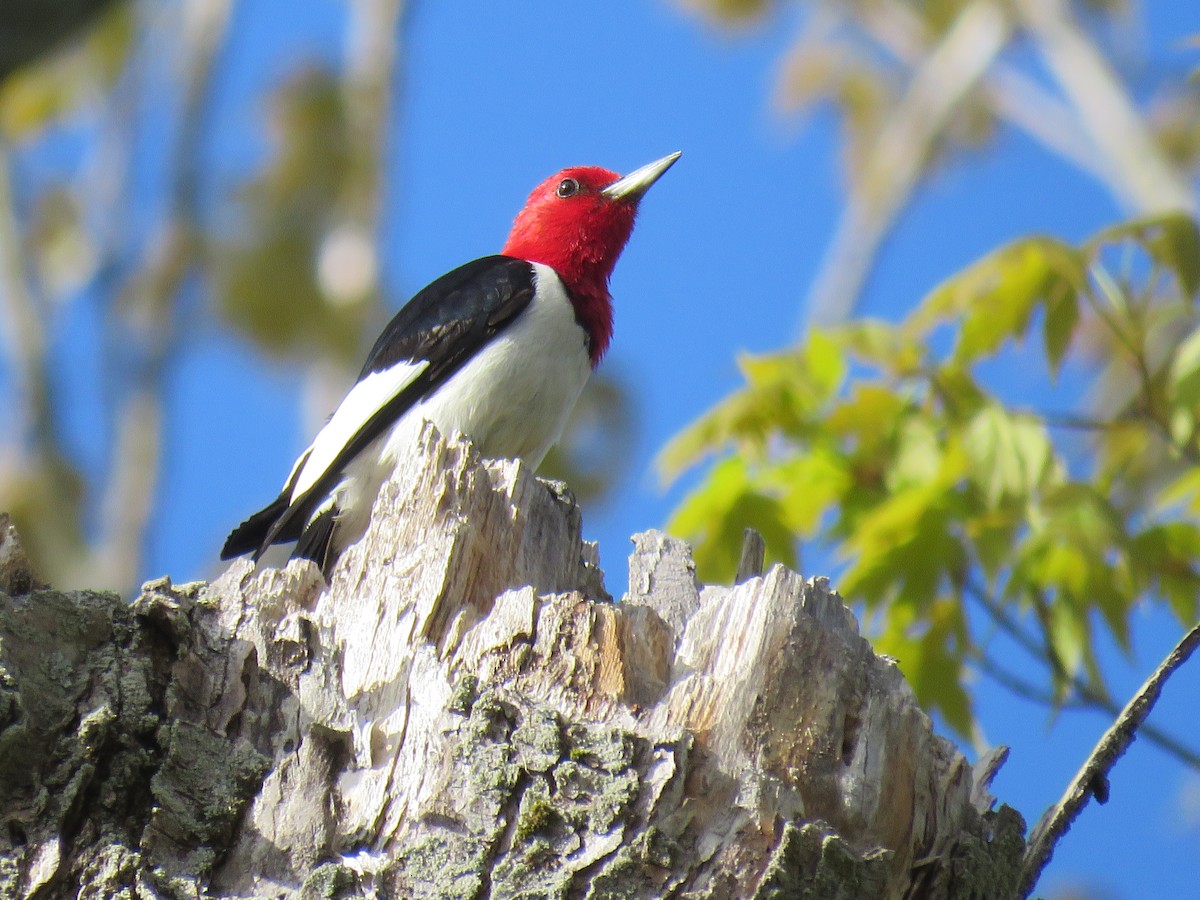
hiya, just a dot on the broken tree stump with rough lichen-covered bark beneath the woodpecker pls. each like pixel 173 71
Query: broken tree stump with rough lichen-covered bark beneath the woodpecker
pixel 465 713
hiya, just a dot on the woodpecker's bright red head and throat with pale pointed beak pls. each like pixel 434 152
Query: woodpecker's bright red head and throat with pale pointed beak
pixel 578 223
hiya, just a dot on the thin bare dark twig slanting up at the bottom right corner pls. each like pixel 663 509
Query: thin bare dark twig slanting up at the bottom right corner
pixel 1093 779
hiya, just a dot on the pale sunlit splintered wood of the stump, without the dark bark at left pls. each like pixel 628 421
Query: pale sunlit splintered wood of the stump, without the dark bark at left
pixel 500 727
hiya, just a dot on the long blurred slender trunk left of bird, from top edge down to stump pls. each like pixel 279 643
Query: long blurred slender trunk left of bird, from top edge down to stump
pixel 133 484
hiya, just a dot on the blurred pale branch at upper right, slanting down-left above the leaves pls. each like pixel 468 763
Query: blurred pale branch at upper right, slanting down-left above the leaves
pixel 901 152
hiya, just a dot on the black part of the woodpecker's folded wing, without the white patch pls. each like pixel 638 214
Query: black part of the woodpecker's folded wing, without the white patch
pixel 445 325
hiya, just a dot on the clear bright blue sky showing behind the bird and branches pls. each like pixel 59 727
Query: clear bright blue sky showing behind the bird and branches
pixel 494 98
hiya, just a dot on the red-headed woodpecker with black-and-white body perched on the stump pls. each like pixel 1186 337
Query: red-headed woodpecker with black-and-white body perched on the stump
pixel 497 350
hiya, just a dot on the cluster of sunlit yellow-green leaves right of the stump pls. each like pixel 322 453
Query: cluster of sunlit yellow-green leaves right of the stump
pixel 929 484
